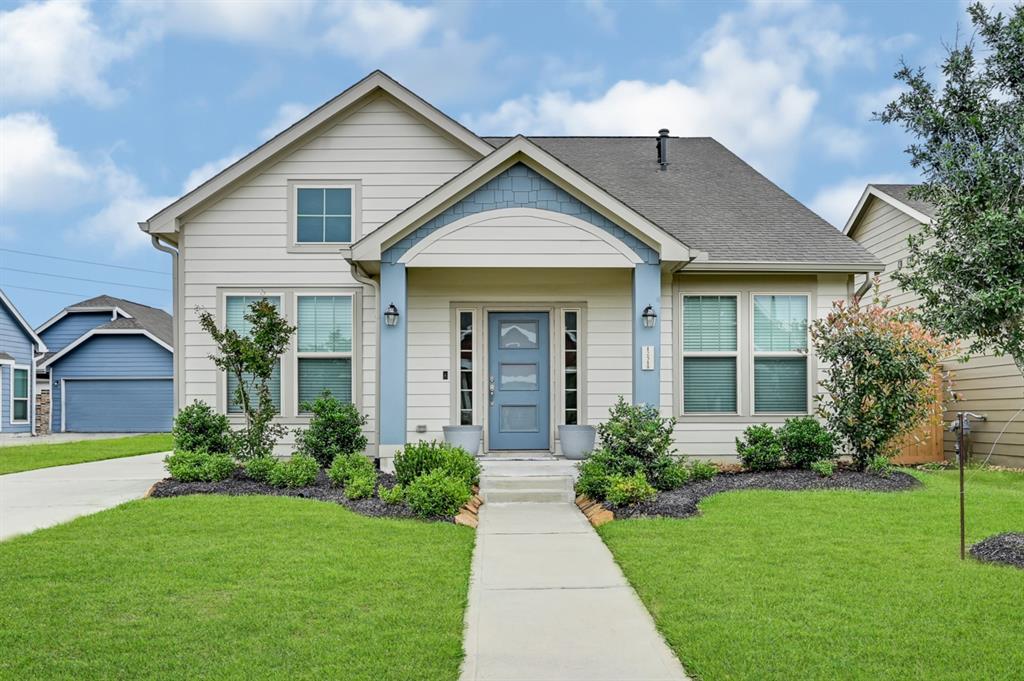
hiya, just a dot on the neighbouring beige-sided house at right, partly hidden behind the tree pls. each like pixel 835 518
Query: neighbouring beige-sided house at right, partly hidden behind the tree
pixel 882 221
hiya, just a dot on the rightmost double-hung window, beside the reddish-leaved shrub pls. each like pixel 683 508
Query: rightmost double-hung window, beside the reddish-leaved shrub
pixel 781 354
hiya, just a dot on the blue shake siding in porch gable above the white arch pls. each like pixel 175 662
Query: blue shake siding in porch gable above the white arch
pixel 520 187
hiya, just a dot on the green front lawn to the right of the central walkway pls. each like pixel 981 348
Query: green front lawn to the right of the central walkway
pixel 835 585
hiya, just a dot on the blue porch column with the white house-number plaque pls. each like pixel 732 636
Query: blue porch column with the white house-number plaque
pixel 647 376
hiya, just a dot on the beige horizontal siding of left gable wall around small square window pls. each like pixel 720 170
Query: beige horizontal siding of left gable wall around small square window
pixel 240 241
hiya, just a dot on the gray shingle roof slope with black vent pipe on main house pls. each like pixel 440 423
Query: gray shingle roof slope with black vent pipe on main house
pixel 708 198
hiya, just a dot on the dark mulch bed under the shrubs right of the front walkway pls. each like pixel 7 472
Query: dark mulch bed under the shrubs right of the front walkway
pixel 682 503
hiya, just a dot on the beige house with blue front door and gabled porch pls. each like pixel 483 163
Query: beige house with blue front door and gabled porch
pixel 441 278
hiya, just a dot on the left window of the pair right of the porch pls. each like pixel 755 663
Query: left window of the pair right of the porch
pixel 710 355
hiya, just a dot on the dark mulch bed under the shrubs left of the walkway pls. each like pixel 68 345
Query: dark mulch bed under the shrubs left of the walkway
pixel 240 485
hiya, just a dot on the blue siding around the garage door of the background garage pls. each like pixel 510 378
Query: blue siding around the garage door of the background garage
pixel 110 356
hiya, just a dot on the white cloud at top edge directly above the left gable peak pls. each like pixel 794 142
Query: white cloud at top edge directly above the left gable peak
pixel 372 30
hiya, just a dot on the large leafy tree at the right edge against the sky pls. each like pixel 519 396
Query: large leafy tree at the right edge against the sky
pixel 968 265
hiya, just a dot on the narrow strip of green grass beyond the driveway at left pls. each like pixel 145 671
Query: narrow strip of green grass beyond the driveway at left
pixel 30 457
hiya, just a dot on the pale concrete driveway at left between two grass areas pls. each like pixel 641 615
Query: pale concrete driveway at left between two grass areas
pixel 49 497
